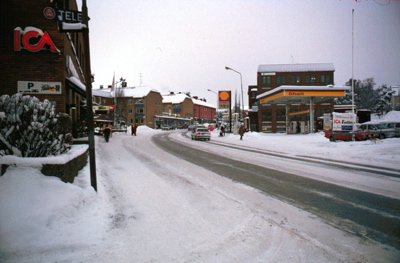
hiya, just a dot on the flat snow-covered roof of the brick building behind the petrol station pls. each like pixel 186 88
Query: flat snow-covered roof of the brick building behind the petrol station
pixel 296 67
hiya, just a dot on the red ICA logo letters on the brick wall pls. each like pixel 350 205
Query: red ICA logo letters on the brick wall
pixel 33 39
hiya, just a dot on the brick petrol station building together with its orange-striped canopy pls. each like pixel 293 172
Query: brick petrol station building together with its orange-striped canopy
pixel 291 97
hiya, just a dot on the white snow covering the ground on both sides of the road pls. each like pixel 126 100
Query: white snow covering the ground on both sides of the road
pixel 153 207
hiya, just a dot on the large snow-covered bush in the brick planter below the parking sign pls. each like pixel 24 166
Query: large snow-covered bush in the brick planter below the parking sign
pixel 30 128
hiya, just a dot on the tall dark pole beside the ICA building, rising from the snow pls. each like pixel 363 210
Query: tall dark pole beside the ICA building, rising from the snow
pixel 89 105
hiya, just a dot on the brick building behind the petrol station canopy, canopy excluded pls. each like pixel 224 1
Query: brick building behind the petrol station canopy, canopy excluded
pixel 272 117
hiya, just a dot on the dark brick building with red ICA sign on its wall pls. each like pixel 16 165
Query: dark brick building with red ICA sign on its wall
pixel 39 60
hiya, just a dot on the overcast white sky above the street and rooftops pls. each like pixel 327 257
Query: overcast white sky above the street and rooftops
pixel 184 46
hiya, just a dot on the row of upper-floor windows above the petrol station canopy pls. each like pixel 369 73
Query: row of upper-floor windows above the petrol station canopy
pixel 310 80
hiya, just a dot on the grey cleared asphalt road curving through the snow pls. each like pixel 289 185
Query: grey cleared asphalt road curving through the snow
pixel 360 213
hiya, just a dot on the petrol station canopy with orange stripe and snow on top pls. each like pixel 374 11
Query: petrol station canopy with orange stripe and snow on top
pixel 301 94
